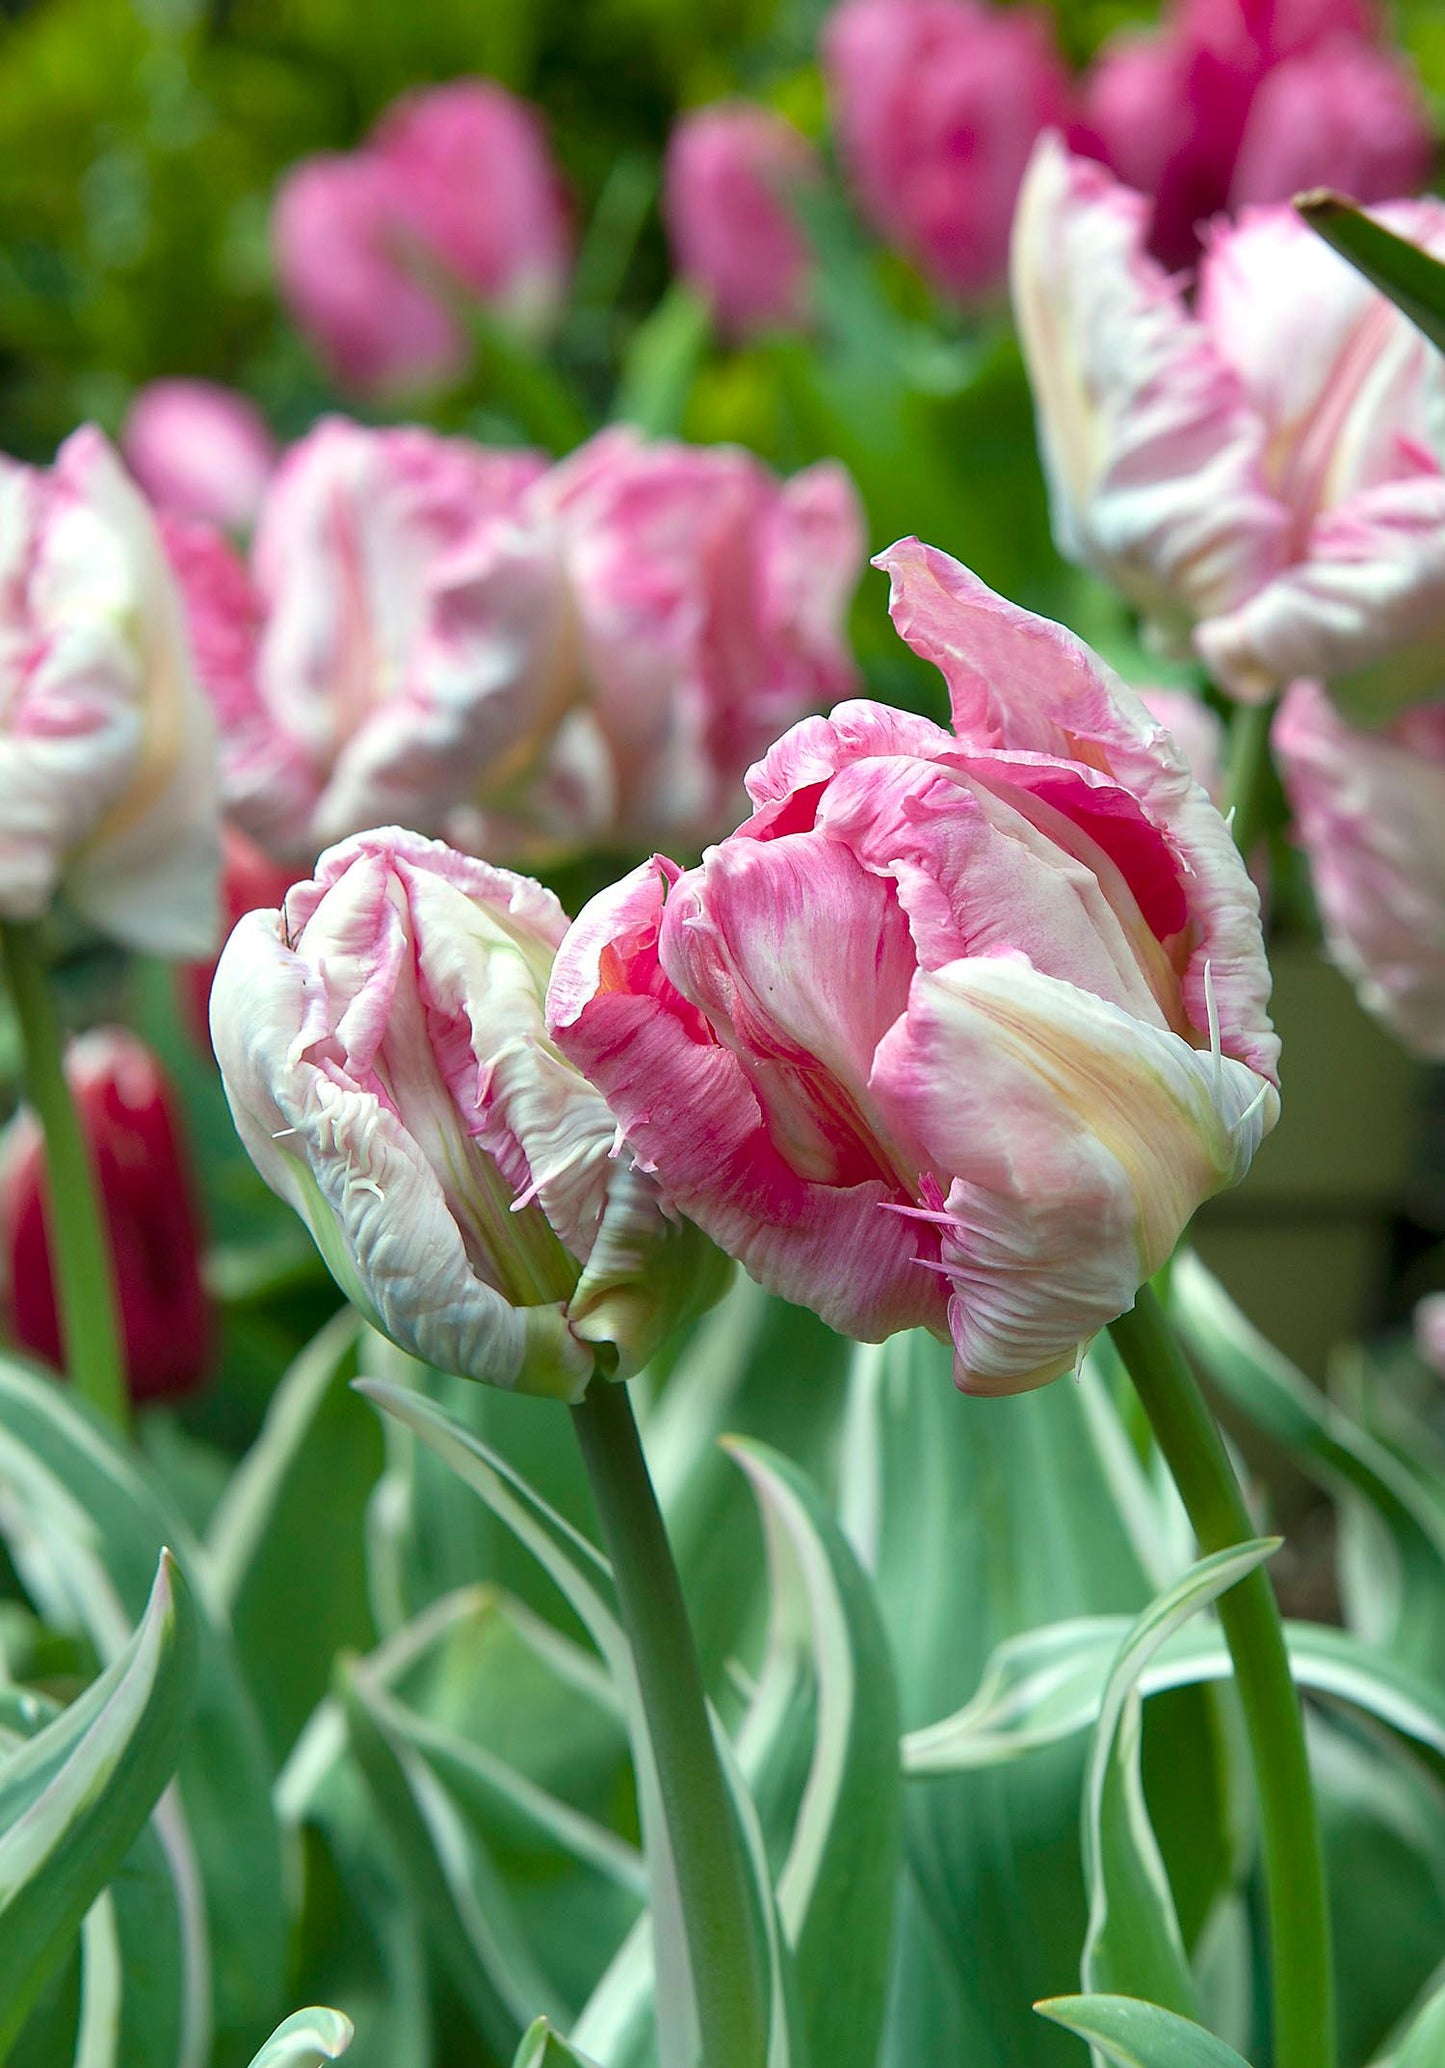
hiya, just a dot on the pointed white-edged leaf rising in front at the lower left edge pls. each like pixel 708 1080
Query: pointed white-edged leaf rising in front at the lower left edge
pixel 75 1796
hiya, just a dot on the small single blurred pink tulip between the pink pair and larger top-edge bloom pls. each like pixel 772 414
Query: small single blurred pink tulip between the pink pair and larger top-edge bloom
pixel 729 197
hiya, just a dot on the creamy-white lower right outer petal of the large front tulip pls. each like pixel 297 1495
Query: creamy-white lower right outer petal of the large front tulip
pixel 1078 1147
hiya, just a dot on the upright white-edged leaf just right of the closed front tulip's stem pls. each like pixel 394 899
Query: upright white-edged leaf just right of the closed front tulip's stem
pixel 840 1875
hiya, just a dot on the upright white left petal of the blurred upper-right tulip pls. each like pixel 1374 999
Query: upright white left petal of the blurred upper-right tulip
pixel 1152 454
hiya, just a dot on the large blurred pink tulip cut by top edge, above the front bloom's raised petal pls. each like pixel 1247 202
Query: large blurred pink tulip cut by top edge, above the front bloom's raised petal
pixel 937 107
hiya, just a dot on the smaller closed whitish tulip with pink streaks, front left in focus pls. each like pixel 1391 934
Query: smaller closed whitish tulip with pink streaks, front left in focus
pixel 388 1064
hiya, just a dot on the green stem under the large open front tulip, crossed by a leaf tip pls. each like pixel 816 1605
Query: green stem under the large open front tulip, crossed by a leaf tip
pixel 1289 1825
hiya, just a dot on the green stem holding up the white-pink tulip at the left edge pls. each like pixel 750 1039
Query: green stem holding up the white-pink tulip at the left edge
pixel 80 1246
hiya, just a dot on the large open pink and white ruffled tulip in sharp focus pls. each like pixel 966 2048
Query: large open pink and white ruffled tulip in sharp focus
pixel 958 1029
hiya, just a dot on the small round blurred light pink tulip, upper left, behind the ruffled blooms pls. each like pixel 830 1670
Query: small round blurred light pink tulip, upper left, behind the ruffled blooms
pixel 199 450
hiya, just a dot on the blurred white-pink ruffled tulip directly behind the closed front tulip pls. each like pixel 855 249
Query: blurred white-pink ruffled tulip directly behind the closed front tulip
pixel 392 642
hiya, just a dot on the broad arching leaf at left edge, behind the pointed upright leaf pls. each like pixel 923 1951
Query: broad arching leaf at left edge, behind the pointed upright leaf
pixel 86 1527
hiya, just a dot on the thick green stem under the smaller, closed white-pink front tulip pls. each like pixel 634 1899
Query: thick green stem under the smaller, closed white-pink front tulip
pixel 702 1827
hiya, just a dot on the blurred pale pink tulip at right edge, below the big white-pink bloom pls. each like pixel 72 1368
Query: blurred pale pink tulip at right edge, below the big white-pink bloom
pixel 1370 810
